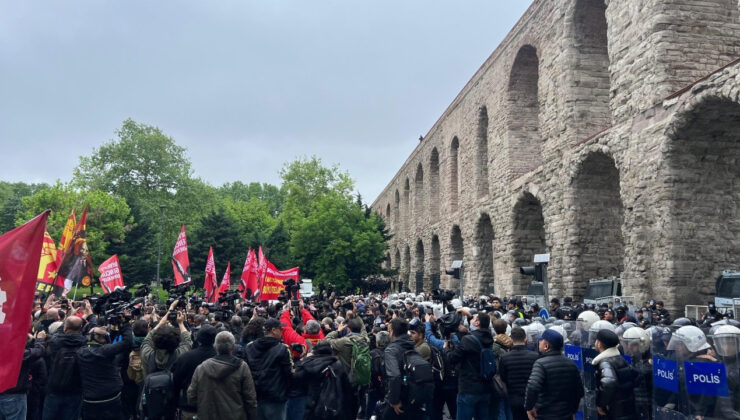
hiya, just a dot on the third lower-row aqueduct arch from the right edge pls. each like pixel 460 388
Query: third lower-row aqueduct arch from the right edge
pixel 529 236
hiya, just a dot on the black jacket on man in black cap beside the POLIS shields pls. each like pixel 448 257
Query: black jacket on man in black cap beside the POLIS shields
pixel 615 382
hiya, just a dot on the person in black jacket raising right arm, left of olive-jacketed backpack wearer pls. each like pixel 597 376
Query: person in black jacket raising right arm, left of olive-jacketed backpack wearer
pixel 101 376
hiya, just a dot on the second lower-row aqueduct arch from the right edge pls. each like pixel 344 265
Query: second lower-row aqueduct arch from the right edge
pixel 599 216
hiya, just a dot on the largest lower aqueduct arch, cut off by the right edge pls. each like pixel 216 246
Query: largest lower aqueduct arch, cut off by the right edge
pixel 703 177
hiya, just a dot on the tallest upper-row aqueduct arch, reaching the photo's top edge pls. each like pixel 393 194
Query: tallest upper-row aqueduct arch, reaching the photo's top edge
pixel 591 78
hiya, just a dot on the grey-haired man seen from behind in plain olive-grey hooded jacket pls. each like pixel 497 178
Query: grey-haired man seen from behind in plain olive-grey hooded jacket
pixel 222 387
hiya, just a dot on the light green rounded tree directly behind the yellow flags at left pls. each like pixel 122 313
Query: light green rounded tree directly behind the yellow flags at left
pixel 108 216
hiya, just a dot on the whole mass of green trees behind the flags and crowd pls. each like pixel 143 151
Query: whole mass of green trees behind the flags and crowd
pixel 141 183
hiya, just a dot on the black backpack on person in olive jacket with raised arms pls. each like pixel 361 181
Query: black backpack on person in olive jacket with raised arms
pixel 158 392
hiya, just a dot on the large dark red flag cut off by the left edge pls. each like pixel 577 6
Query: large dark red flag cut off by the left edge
pixel 20 252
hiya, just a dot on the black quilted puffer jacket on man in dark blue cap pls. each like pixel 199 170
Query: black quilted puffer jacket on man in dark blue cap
pixel 554 388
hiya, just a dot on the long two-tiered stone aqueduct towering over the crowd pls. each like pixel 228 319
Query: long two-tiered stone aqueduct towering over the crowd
pixel 606 133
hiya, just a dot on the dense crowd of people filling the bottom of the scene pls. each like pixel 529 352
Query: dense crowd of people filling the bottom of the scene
pixel 398 356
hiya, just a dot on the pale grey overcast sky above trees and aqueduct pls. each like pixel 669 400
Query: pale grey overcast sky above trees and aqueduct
pixel 244 85
